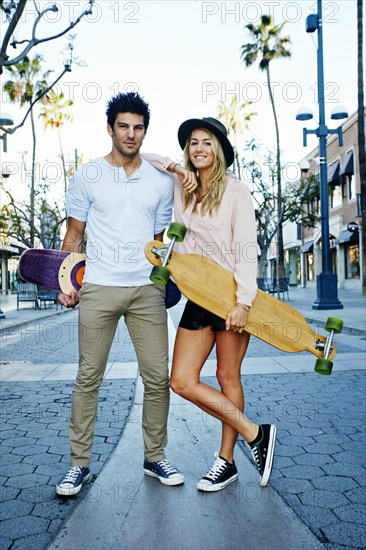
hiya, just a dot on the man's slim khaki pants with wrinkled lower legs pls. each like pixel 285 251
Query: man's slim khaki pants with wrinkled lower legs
pixel 145 315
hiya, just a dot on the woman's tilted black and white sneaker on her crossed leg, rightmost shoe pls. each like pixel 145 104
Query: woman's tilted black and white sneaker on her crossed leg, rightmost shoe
pixel 263 451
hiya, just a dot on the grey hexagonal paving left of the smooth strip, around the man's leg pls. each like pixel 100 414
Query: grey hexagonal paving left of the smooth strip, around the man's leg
pixel 34 417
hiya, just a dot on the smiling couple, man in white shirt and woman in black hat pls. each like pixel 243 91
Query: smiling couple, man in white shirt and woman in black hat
pixel 123 201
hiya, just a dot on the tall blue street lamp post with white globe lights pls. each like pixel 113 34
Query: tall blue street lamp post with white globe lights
pixel 326 283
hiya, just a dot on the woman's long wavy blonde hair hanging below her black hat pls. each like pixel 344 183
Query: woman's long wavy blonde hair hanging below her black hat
pixel 212 200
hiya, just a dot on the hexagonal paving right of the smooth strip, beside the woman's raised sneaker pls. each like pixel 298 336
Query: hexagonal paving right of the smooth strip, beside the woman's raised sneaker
pixel 319 467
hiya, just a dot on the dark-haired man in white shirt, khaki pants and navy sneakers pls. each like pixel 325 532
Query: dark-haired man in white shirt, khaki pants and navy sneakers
pixel 122 202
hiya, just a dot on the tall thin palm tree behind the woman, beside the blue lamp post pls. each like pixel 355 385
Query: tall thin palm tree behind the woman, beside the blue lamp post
pixel 268 45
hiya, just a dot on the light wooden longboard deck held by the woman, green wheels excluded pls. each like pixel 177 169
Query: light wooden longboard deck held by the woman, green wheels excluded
pixel 214 288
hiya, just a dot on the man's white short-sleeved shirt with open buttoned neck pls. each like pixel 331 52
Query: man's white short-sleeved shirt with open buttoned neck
pixel 122 214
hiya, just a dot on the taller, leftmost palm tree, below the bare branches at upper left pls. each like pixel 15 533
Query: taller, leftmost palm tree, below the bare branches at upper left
pixel 23 89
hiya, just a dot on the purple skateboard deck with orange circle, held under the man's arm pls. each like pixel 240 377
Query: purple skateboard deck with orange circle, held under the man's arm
pixel 52 269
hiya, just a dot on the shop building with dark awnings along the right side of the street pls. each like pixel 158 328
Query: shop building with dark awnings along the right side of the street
pixel 345 227
